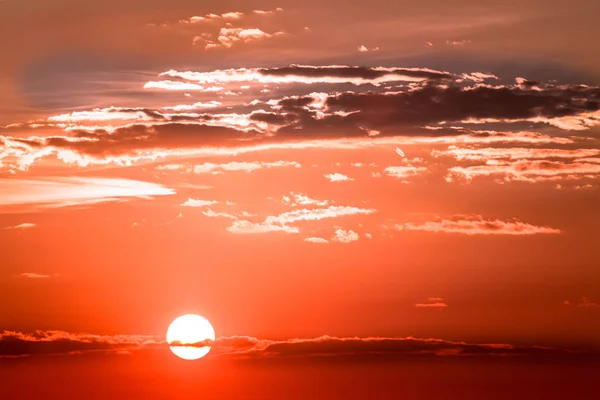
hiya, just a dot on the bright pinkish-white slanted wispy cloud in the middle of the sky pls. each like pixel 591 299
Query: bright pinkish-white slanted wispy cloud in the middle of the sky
pixel 283 222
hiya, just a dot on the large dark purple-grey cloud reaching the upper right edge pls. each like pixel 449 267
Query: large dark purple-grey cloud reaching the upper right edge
pixel 434 104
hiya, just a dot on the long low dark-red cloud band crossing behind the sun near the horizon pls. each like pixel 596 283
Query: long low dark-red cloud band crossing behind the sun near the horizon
pixel 16 344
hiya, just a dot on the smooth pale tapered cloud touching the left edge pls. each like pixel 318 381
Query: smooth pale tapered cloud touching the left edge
pixel 68 191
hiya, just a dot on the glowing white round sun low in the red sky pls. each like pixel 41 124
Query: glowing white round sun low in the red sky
pixel 187 336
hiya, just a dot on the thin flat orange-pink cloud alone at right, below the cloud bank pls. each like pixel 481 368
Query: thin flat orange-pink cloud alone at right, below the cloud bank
pixel 477 225
